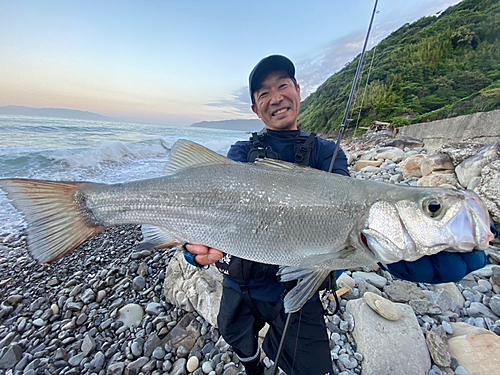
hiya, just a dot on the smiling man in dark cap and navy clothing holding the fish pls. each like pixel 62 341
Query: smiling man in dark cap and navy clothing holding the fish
pixel 251 294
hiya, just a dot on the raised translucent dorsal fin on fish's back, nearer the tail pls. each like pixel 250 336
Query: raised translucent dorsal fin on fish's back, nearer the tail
pixel 188 154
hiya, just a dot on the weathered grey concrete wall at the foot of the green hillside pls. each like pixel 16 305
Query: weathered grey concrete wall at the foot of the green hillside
pixel 483 127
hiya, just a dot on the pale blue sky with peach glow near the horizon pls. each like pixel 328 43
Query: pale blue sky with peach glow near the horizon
pixel 178 62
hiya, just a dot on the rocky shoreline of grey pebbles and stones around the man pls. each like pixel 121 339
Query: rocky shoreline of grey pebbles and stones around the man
pixel 102 309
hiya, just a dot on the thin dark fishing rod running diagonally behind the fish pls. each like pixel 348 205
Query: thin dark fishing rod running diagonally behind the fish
pixel 335 153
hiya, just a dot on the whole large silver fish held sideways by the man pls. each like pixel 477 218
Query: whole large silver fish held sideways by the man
pixel 270 212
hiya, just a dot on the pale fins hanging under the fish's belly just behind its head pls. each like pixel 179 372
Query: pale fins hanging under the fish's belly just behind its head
pixel 309 280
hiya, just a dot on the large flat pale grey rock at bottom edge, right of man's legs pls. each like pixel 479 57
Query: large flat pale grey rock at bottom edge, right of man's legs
pixel 396 347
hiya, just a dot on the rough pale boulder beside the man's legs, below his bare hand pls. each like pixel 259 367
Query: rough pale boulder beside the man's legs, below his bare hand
pixel 192 288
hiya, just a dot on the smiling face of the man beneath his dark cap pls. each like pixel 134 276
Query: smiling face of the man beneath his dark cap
pixel 277 102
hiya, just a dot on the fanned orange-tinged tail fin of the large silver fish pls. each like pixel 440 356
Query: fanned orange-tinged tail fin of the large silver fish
pixel 56 213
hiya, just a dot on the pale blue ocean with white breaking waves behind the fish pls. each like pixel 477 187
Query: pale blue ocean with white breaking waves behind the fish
pixel 83 150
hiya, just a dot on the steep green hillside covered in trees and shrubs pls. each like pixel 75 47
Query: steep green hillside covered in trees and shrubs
pixel 436 67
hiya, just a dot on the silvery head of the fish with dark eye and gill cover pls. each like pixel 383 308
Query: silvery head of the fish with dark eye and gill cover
pixel 425 222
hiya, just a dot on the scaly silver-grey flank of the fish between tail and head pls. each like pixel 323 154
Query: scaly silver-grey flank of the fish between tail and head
pixel 272 216
